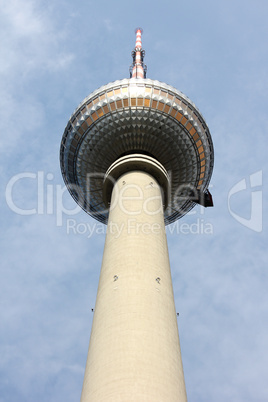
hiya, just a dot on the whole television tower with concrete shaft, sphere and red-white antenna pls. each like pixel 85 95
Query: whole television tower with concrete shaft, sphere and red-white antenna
pixel 136 154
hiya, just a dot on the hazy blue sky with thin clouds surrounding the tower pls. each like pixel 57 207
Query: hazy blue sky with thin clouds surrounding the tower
pixel 52 56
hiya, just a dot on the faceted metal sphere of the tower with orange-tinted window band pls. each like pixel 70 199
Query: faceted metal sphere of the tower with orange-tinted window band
pixel 136 116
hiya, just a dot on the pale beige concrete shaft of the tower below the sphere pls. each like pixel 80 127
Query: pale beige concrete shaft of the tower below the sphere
pixel 134 352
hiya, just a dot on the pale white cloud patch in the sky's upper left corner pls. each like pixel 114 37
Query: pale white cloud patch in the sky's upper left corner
pixel 31 39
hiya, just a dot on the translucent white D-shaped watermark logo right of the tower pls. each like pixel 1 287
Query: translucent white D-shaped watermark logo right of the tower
pixel 254 222
